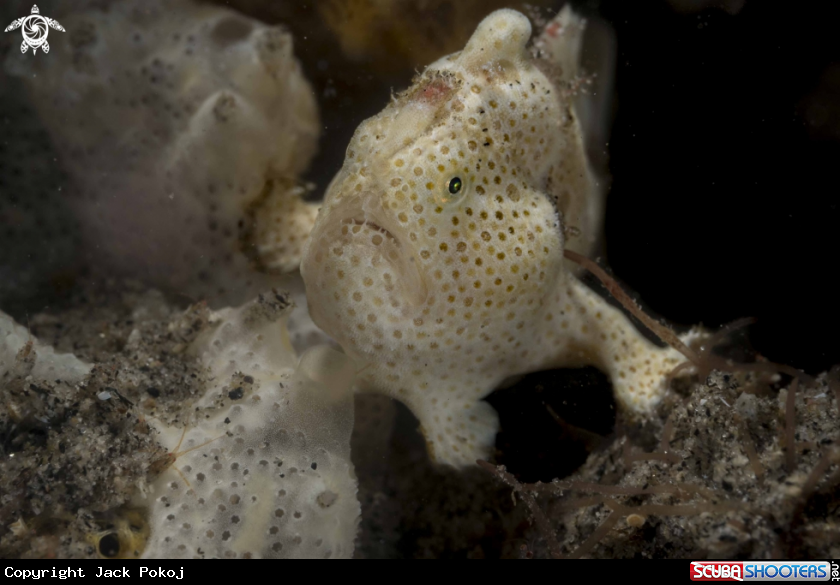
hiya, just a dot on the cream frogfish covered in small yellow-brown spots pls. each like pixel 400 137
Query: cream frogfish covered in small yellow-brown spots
pixel 440 296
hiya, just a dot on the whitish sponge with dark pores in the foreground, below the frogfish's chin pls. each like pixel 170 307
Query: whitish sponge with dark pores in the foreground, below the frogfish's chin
pixel 263 470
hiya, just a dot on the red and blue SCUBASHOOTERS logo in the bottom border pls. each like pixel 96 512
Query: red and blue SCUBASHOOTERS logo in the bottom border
pixel 762 571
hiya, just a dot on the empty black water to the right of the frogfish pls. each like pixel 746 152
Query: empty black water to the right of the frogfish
pixel 724 201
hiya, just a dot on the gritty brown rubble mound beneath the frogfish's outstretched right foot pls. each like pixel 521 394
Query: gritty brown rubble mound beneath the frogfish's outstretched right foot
pixel 735 469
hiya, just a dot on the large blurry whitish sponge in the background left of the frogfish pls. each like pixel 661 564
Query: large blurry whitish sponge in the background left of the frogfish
pixel 184 128
